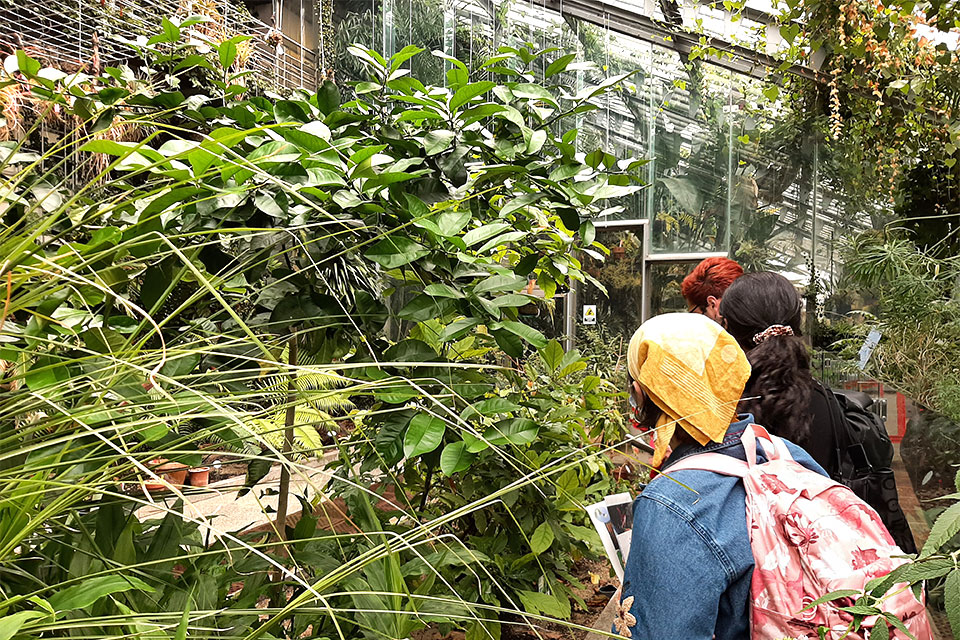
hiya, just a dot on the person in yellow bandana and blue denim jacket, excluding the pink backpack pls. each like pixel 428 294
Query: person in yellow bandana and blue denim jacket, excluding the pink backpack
pixel 688 572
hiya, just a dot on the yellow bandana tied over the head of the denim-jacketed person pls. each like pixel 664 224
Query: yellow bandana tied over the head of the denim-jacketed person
pixel 693 370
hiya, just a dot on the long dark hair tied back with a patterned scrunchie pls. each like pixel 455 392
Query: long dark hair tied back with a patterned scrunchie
pixel 780 383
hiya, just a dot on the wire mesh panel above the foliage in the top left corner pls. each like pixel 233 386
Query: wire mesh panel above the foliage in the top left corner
pixel 90 33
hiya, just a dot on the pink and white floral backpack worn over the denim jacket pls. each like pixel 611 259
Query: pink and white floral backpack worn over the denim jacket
pixel 809 536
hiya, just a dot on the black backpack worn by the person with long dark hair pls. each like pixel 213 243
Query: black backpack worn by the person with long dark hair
pixel 863 458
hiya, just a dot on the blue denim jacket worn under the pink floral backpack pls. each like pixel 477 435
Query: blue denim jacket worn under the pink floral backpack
pixel 689 568
